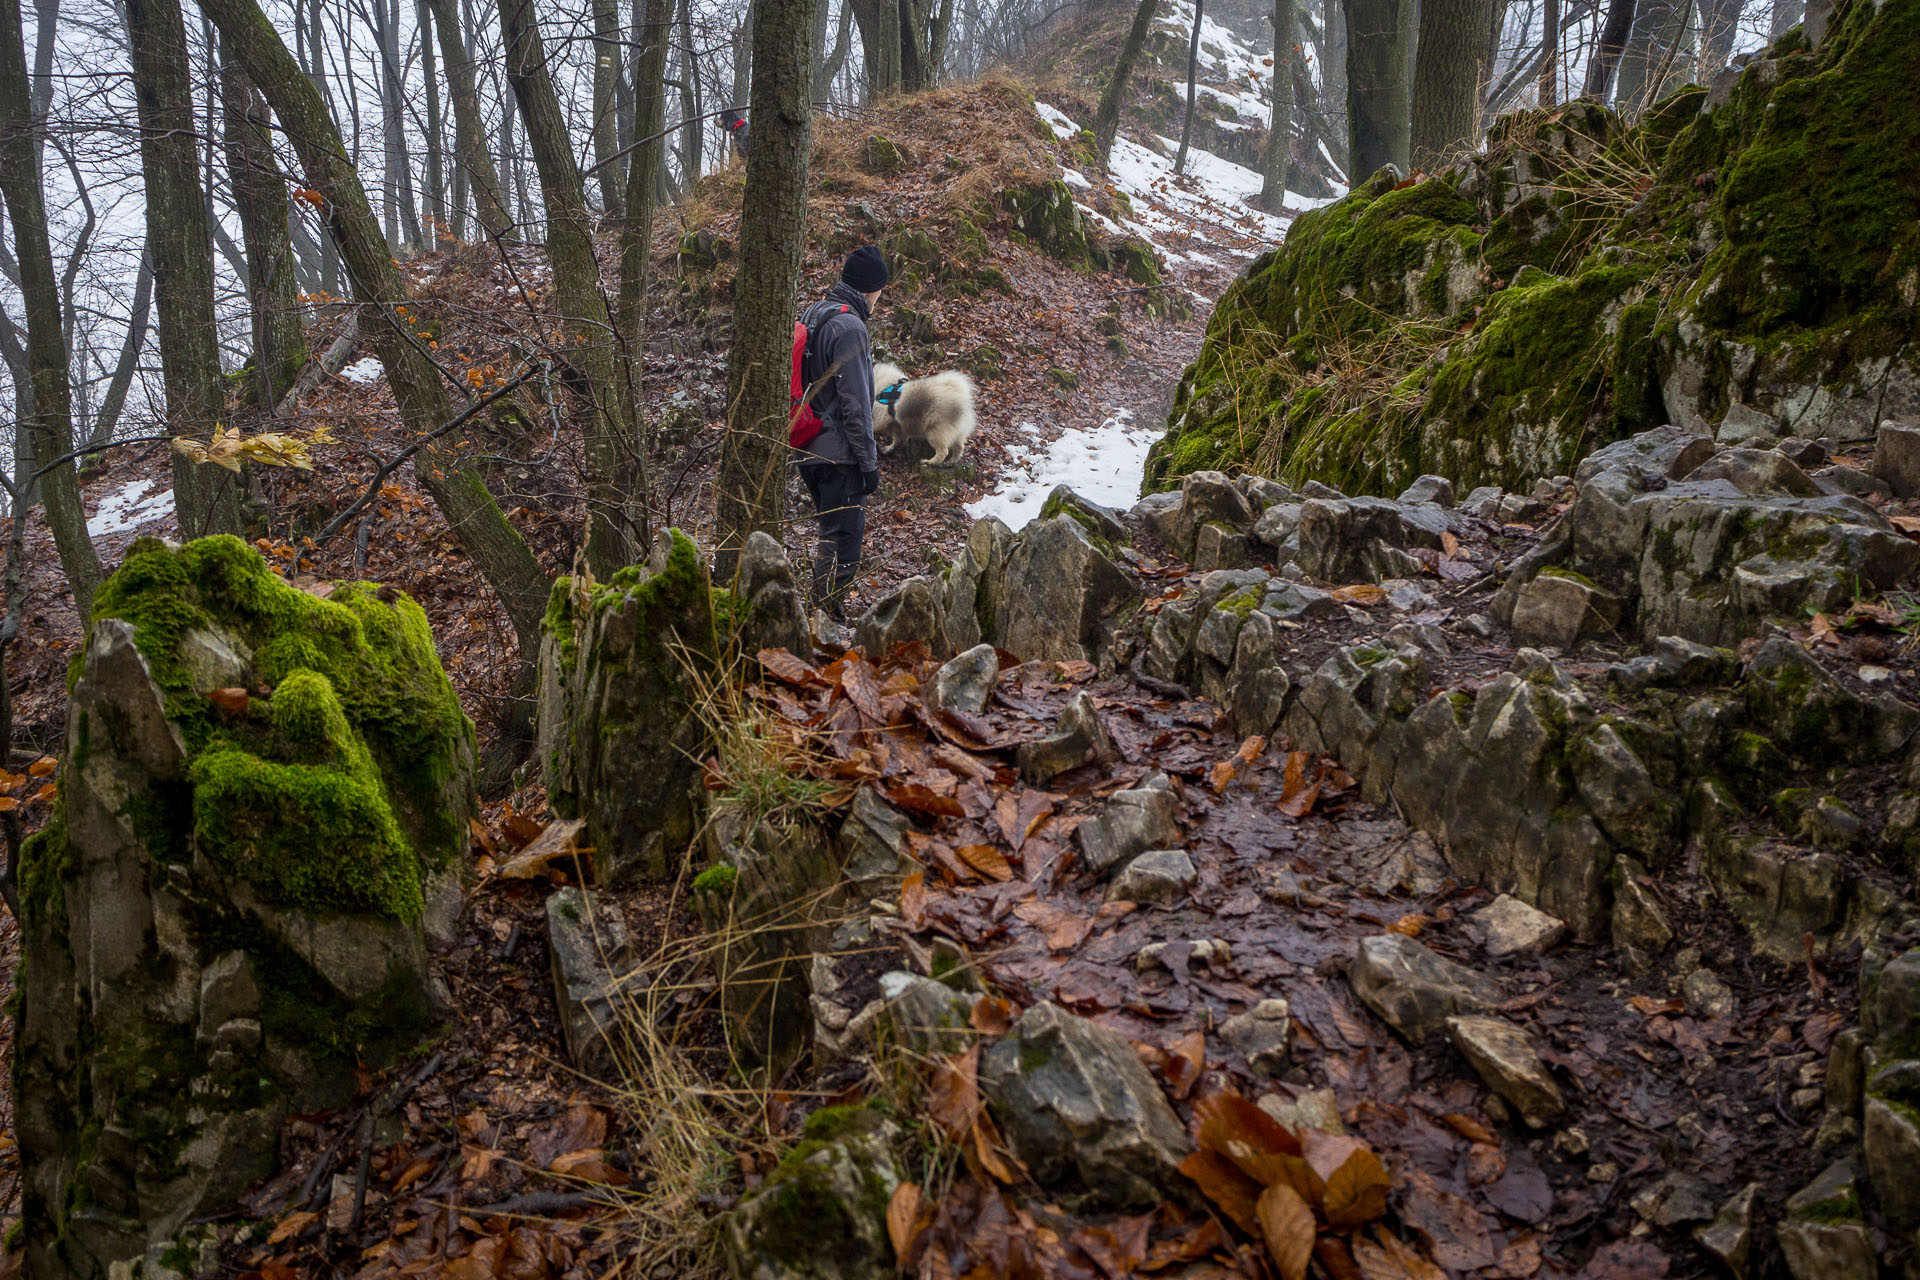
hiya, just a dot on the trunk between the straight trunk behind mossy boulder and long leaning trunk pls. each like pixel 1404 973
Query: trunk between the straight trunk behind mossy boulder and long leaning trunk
pixel 260 197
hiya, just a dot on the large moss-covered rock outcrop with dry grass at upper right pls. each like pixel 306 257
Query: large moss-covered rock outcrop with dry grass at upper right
pixel 1746 256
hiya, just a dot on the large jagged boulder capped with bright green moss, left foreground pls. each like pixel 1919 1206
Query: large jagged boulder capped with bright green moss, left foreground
pixel 233 903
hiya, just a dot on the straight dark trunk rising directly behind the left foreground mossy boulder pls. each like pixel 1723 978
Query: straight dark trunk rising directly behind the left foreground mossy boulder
pixel 206 498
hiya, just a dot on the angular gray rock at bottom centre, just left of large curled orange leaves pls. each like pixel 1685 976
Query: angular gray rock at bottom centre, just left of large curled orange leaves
pixel 1082 1112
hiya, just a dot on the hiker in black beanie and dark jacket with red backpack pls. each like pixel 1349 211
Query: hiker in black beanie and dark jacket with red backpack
pixel 840 467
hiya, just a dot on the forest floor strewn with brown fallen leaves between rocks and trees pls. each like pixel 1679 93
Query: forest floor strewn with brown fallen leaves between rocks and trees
pixel 498 1158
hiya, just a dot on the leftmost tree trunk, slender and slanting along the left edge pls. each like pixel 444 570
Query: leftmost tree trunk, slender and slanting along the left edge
pixel 47 352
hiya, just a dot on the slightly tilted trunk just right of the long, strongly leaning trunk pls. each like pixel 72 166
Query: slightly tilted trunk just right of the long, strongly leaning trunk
pixel 587 329
